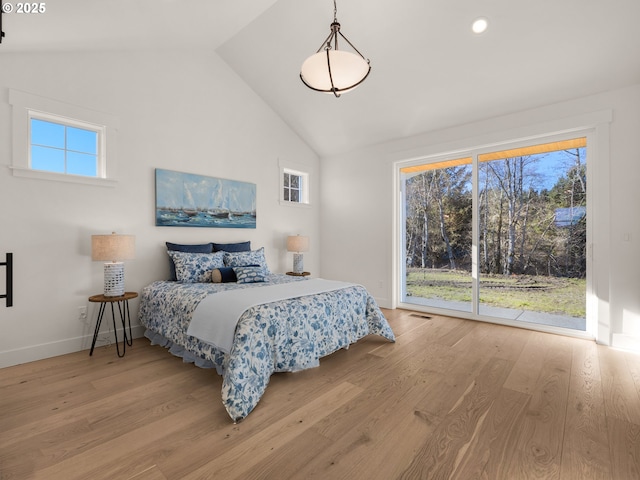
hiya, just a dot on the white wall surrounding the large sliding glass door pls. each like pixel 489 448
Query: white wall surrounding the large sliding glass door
pixel 357 200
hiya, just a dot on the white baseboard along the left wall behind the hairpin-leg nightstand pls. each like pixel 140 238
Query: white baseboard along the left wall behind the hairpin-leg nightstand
pixel 61 347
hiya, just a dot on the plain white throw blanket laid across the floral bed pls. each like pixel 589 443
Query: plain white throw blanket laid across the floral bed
pixel 215 318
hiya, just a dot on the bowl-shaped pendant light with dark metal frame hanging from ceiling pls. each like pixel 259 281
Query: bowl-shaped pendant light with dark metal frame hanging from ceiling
pixel 331 70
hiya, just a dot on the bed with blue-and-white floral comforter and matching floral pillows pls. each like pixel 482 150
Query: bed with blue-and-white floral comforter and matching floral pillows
pixel 283 335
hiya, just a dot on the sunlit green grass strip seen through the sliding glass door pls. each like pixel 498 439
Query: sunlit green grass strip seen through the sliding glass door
pixel 561 296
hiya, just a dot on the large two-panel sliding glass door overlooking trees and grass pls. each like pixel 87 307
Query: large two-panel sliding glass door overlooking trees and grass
pixel 499 234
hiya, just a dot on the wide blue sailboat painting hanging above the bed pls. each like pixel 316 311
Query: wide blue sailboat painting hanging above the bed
pixel 188 200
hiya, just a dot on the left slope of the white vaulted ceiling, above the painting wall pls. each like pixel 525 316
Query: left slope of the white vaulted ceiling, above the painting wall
pixel 70 25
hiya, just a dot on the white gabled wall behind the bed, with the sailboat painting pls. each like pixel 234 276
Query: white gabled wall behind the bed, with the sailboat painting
pixel 178 110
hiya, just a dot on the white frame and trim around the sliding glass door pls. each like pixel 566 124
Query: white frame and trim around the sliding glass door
pixel 595 126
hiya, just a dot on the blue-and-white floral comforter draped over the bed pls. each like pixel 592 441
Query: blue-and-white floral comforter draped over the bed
pixel 282 336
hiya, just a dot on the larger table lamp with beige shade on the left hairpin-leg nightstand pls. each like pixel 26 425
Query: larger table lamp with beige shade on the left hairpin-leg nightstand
pixel 112 249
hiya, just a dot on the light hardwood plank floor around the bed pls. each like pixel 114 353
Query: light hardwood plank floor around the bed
pixel 451 399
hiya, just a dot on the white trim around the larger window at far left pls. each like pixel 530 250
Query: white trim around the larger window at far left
pixel 27 106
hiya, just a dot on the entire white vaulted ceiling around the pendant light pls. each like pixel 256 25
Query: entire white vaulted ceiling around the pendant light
pixel 429 71
